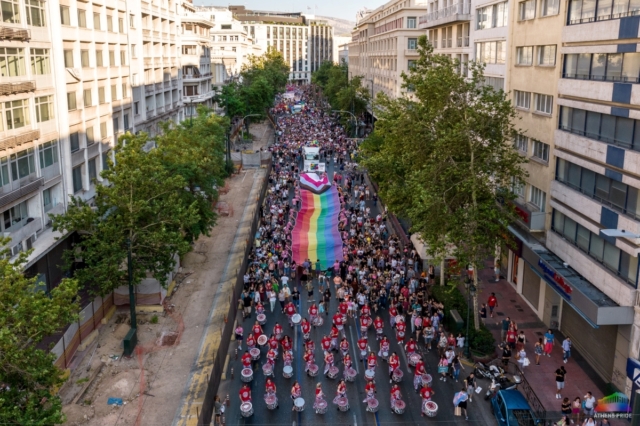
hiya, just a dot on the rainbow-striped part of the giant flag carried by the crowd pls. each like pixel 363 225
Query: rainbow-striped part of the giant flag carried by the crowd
pixel 315 235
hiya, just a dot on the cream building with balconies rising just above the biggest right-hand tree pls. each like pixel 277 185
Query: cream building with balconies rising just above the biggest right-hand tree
pixel 447 24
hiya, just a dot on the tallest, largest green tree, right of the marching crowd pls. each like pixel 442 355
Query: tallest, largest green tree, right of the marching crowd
pixel 443 156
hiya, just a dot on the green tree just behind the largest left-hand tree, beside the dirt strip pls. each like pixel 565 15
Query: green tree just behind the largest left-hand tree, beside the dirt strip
pixel 196 152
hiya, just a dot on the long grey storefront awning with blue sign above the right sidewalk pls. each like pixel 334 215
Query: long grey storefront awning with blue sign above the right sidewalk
pixel 589 302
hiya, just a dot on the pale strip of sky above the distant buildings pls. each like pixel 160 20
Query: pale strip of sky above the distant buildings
pixel 331 8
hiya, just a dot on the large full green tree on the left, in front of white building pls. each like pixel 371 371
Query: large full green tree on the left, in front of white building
pixel 143 204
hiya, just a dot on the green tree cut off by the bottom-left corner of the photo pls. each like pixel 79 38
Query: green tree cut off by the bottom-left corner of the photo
pixel 28 315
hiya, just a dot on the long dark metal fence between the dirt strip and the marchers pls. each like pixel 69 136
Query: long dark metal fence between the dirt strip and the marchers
pixel 220 357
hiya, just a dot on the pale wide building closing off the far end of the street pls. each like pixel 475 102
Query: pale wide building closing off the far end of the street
pixel 305 42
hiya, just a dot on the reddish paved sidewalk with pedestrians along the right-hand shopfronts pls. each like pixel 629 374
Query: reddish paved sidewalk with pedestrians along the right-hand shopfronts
pixel 580 378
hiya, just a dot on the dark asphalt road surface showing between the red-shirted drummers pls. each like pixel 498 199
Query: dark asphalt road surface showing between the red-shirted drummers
pixel 479 412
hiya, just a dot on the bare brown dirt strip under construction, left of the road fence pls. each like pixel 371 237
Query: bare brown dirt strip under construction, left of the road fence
pixel 151 383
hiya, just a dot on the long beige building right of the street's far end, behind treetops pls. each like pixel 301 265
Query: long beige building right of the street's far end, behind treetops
pixel 384 44
